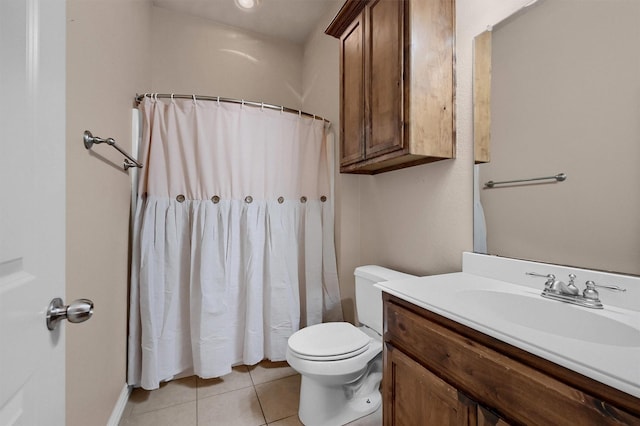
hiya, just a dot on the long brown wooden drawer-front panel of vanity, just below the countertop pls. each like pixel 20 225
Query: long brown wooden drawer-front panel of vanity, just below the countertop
pixel 519 393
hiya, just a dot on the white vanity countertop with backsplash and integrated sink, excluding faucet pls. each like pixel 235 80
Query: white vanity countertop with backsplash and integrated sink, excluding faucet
pixel 601 344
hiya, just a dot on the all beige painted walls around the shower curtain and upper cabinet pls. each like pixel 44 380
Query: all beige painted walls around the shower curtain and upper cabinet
pixel 417 219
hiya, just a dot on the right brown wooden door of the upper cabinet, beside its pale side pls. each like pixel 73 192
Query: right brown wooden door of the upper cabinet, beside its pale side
pixel 385 67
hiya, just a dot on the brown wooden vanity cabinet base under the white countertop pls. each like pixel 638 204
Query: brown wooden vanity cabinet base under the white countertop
pixel 437 372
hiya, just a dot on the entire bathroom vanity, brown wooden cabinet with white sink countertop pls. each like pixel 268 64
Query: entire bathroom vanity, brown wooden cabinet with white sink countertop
pixel 447 361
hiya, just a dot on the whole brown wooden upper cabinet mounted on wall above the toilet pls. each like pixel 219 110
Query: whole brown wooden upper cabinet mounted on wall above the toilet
pixel 397 83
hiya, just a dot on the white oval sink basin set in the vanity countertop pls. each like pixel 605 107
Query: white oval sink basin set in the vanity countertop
pixel 553 317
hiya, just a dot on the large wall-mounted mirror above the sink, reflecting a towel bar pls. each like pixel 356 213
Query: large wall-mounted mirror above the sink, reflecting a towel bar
pixel 557 90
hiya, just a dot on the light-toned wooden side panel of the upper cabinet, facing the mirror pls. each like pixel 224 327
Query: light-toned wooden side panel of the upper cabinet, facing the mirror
pixel 431 103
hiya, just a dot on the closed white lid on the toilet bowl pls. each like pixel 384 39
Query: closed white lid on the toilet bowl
pixel 329 341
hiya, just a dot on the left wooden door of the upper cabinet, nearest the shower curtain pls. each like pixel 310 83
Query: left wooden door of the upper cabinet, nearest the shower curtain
pixel 352 89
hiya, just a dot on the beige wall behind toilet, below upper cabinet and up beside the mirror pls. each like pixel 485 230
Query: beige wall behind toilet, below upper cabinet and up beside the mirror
pixel 419 219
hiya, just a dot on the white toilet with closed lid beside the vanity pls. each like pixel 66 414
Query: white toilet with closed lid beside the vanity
pixel 341 365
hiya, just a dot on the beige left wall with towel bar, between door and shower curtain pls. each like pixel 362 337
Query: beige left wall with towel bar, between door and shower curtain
pixel 107 63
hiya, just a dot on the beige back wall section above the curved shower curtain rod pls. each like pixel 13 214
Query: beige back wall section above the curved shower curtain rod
pixel 192 55
